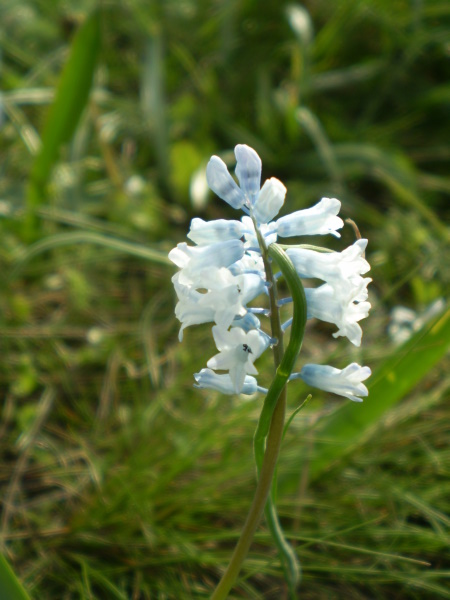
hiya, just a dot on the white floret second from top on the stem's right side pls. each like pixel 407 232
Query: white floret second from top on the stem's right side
pixel 337 268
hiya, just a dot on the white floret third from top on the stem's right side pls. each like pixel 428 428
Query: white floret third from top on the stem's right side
pixel 338 307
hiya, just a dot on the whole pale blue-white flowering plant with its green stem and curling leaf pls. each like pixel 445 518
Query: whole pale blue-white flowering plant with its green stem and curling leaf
pixel 232 264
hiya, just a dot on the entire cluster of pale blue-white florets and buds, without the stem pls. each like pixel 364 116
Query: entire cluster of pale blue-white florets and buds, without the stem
pixel 224 272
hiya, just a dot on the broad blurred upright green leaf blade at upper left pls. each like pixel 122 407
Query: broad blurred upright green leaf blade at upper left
pixel 70 100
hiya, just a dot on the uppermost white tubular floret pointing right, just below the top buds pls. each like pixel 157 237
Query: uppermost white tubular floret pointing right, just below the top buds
pixel 317 220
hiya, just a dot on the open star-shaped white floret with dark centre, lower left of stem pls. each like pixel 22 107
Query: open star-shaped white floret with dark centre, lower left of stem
pixel 238 351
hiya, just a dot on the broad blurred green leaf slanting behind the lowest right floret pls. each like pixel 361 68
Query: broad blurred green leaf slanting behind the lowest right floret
pixel 351 424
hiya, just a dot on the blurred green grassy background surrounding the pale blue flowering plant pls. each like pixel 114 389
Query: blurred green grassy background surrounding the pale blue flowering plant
pixel 118 479
